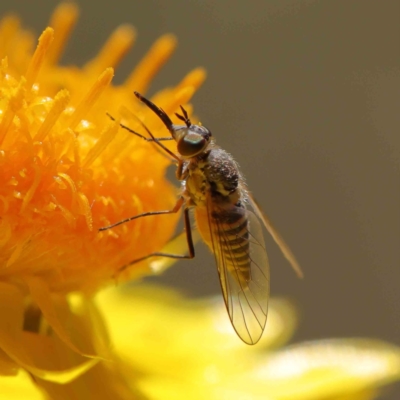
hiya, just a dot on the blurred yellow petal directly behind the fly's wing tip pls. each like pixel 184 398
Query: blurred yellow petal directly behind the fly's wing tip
pixel 166 325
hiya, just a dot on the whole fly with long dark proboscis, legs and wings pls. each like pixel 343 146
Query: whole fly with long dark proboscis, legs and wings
pixel 213 186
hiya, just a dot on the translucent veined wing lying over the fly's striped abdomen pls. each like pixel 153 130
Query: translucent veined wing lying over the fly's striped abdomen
pixel 243 268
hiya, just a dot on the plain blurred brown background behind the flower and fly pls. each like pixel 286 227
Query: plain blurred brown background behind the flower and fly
pixel 305 95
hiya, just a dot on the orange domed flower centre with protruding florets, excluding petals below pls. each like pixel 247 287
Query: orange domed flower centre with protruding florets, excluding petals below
pixel 67 169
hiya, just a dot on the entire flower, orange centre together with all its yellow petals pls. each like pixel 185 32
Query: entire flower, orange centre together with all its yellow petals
pixel 67 170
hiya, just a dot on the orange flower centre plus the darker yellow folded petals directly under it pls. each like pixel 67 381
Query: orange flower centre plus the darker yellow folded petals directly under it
pixel 66 170
